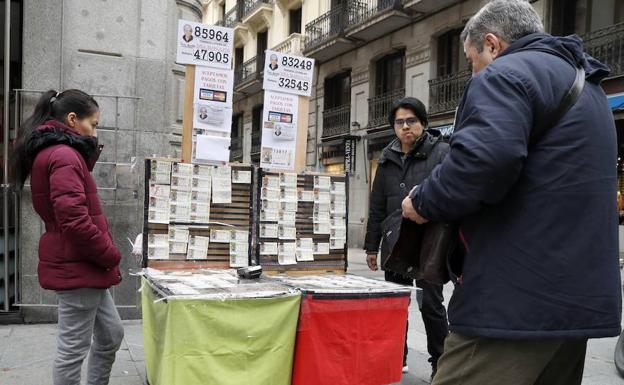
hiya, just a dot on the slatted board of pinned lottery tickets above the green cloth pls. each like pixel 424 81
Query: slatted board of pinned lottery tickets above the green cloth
pixel 197 216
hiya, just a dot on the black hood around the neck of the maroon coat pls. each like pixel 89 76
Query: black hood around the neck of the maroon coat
pixel 54 132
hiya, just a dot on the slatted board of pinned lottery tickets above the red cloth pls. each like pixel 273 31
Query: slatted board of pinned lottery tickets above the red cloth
pixel 302 221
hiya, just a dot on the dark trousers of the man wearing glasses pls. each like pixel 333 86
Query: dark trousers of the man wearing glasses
pixel 433 314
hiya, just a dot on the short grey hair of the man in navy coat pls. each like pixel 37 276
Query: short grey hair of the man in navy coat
pixel 508 20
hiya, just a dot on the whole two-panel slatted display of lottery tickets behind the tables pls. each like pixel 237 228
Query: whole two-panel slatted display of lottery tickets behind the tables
pixel 201 216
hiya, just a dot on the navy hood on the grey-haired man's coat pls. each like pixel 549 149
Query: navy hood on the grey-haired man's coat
pixel 569 48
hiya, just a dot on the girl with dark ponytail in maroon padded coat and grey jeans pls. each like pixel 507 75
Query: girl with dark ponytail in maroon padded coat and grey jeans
pixel 58 148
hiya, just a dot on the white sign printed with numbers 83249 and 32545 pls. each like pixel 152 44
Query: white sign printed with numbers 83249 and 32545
pixel 288 73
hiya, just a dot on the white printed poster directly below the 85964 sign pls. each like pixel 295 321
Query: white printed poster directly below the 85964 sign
pixel 214 89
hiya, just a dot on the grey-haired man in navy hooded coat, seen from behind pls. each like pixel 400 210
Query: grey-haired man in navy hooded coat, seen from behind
pixel 538 220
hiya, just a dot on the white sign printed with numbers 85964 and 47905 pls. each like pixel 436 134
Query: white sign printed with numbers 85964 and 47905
pixel 204 45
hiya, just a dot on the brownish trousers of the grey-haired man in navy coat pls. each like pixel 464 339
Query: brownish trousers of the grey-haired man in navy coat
pixel 478 361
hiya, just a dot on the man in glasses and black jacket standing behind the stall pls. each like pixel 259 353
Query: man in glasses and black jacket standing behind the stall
pixel 403 164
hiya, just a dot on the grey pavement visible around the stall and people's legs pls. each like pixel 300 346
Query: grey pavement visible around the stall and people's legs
pixel 27 351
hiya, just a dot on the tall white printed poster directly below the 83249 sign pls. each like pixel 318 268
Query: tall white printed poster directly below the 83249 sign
pixel 279 131
